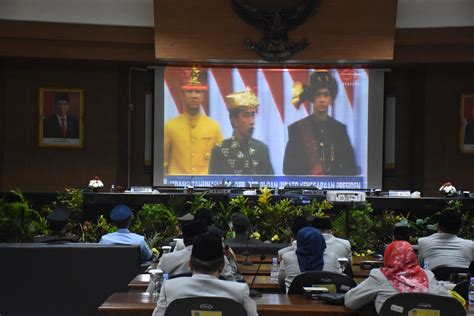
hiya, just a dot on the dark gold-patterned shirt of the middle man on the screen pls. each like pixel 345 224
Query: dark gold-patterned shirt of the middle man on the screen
pixel 233 157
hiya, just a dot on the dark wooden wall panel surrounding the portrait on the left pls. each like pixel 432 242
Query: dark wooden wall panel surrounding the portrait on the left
pixel 32 168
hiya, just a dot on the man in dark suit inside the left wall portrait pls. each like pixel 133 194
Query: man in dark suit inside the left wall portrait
pixel 61 124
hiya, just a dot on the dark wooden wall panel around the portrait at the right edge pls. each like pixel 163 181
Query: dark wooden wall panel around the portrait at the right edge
pixel 443 159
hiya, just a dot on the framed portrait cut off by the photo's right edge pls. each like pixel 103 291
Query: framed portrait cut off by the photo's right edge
pixel 466 134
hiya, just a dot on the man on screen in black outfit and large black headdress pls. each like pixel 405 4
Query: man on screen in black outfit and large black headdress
pixel 318 144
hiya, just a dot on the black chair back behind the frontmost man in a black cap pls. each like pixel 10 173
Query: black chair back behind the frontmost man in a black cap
pixel 194 305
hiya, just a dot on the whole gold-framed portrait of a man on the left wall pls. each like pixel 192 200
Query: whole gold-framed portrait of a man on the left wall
pixel 61 122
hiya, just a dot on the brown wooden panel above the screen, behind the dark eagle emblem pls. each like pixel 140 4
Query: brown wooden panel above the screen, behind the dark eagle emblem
pixel 207 31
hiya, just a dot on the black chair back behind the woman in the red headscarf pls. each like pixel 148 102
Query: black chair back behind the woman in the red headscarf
pixel 405 304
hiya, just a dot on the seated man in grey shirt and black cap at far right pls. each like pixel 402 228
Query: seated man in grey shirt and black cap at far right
pixel 444 248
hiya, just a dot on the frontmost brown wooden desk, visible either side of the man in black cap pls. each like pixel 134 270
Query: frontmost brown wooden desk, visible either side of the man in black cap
pixel 269 304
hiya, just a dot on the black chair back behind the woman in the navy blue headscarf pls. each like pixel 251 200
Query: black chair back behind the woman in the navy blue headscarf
pixel 342 282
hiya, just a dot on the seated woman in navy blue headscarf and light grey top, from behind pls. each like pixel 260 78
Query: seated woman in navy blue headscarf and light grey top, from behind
pixel 310 255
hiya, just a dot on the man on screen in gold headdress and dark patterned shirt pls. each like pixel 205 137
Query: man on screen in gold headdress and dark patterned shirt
pixel 241 154
